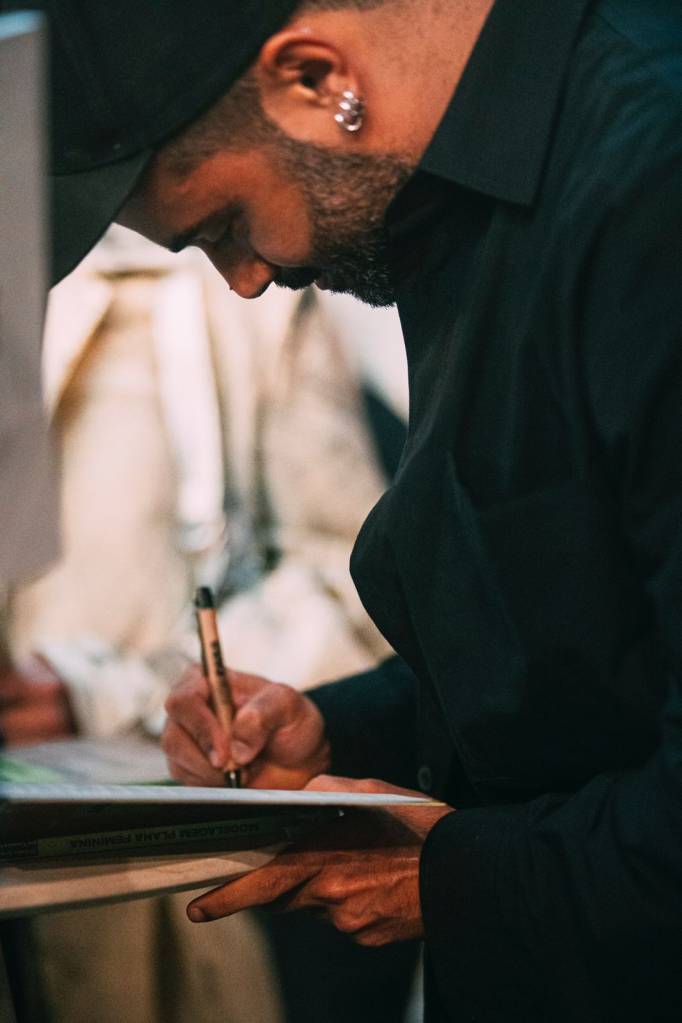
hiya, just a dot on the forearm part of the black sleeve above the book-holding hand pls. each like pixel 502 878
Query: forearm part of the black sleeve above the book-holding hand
pixel 561 905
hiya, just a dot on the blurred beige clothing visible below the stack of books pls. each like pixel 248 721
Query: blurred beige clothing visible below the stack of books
pixel 144 961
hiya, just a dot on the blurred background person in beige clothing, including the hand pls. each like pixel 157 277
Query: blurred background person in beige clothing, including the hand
pixel 204 441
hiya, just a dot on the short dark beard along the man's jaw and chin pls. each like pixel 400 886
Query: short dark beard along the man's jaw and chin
pixel 347 197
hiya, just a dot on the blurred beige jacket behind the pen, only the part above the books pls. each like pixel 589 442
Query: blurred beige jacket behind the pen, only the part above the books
pixel 294 454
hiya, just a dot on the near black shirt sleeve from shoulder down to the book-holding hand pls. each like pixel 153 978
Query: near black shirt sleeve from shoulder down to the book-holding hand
pixel 570 907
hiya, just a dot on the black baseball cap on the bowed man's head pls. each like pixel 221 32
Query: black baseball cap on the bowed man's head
pixel 124 77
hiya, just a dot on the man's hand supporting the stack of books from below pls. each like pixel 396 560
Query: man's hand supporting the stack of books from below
pixel 361 873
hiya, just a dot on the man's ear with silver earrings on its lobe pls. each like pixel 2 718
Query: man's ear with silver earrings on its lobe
pixel 302 78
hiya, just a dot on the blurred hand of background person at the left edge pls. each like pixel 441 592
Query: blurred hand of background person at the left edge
pixel 34 704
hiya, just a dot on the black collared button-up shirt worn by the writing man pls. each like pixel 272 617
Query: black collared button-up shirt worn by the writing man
pixel 527 563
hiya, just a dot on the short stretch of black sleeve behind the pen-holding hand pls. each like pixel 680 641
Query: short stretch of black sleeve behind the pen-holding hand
pixel 371 723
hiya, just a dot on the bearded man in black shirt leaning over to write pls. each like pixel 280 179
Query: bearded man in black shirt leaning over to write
pixel 527 563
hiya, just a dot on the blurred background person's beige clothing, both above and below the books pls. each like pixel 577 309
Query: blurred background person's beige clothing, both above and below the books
pixel 300 470
